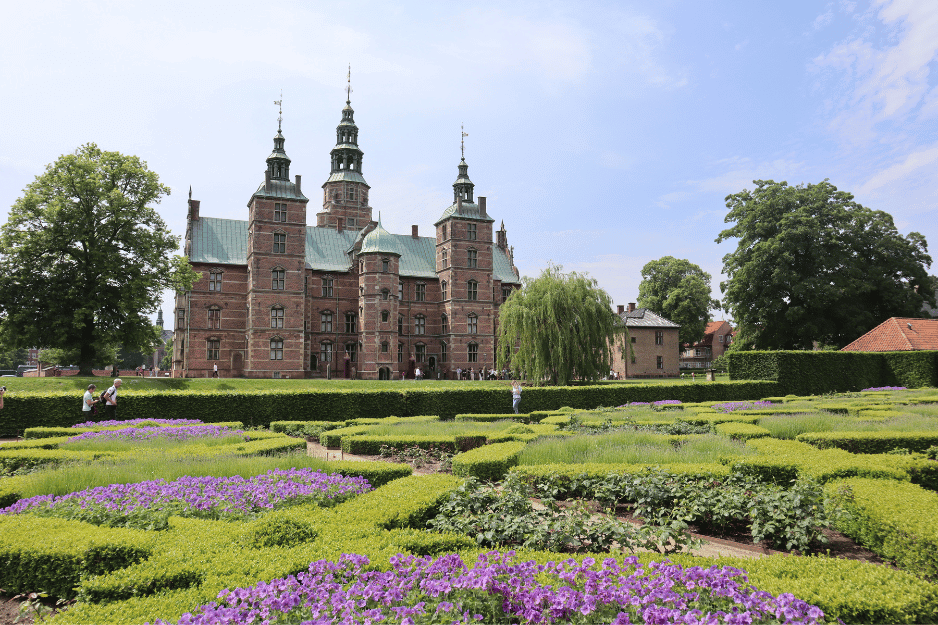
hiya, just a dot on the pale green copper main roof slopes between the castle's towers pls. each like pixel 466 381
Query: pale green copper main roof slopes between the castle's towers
pixel 225 241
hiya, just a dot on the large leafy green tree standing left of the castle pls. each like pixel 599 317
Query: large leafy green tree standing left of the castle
pixel 84 257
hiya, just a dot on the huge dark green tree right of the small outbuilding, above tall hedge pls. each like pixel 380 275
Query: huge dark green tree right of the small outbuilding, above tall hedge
pixel 813 266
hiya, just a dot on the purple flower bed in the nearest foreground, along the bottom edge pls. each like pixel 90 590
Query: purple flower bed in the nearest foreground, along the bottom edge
pixel 496 589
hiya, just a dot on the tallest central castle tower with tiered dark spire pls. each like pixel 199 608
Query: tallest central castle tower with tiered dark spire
pixel 345 192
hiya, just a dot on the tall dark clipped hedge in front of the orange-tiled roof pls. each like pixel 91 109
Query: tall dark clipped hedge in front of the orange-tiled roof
pixel 813 373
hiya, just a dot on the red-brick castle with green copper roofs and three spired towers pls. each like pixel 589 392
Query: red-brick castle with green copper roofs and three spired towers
pixel 344 298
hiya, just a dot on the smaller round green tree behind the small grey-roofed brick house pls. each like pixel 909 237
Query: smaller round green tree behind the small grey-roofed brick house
pixel 678 290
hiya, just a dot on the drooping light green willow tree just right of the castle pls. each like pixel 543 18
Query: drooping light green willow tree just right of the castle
pixel 559 328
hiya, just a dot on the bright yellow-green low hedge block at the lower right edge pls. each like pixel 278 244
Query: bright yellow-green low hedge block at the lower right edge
pixel 894 519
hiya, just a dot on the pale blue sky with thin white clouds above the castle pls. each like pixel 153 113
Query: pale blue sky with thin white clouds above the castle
pixel 604 134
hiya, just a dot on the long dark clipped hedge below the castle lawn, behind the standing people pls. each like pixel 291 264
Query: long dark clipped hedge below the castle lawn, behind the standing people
pixel 57 409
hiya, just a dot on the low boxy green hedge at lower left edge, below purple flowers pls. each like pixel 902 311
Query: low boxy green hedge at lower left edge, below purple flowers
pixel 54 554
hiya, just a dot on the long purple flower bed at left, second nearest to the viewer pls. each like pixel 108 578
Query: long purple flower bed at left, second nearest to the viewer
pixel 206 497
